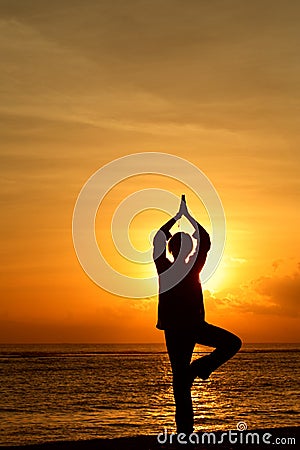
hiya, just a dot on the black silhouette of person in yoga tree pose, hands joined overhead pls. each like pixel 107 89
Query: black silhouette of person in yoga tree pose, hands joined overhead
pixel 181 313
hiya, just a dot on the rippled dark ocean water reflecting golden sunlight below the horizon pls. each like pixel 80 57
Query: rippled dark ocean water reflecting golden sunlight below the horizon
pixel 71 392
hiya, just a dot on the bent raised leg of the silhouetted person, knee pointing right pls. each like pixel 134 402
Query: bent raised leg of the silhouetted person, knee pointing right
pixel 226 345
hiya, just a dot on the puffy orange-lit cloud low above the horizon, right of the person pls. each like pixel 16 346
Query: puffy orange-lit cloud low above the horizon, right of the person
pixel 275 295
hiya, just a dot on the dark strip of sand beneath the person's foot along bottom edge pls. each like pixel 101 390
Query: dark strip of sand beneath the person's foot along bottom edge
pixel 272 438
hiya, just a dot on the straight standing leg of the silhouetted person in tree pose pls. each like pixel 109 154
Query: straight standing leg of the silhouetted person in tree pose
pixel 180 347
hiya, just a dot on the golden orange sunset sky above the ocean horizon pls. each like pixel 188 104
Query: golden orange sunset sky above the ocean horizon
pixel 83 83
